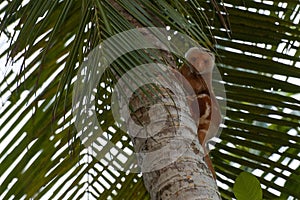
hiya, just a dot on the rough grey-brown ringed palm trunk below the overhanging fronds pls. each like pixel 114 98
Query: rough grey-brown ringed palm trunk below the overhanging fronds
pixel 177 172
